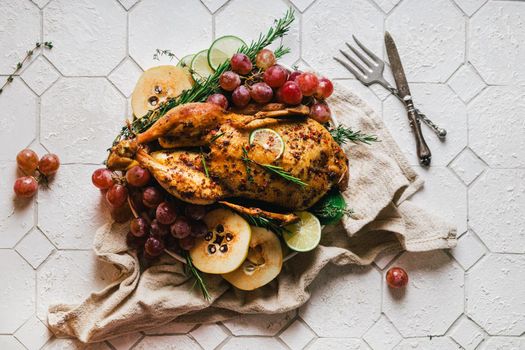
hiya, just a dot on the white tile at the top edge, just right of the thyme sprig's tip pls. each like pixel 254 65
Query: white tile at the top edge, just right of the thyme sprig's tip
pixel 89 37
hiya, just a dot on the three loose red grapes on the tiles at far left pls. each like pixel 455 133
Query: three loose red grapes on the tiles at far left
pixel 35 170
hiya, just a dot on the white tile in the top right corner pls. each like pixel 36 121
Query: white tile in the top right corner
pixel 495 32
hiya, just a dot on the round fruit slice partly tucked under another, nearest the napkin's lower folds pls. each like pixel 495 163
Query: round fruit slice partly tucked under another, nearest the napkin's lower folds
pixel 263 264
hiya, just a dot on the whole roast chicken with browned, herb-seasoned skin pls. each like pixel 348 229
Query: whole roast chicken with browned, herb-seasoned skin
pixel 310 154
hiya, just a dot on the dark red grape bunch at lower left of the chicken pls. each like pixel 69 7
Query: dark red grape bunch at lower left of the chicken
pixel 161 222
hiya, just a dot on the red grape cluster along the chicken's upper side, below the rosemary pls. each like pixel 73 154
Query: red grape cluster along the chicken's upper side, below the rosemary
pixel 268 81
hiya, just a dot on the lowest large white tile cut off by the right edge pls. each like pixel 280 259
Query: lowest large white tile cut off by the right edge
pixel 495 292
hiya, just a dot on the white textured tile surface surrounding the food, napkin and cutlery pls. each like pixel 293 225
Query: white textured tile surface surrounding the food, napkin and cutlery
pixel 466 62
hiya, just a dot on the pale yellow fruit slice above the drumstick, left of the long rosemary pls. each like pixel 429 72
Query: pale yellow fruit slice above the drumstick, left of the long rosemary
pixel 156 85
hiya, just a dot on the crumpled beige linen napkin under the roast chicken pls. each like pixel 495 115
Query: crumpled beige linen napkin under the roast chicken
pixel 380 183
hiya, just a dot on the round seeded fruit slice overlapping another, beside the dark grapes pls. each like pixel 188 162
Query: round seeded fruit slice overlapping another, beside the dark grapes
pixel 225 246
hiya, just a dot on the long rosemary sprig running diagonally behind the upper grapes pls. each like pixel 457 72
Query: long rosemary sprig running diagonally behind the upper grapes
pixel 203 88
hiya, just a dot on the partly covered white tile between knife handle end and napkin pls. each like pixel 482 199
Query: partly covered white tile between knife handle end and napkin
pixel 443 194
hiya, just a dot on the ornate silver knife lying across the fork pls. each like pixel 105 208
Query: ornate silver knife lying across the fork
pixel 423 152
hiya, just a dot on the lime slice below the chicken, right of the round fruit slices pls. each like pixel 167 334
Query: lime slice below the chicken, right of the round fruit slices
pixel 305 234
